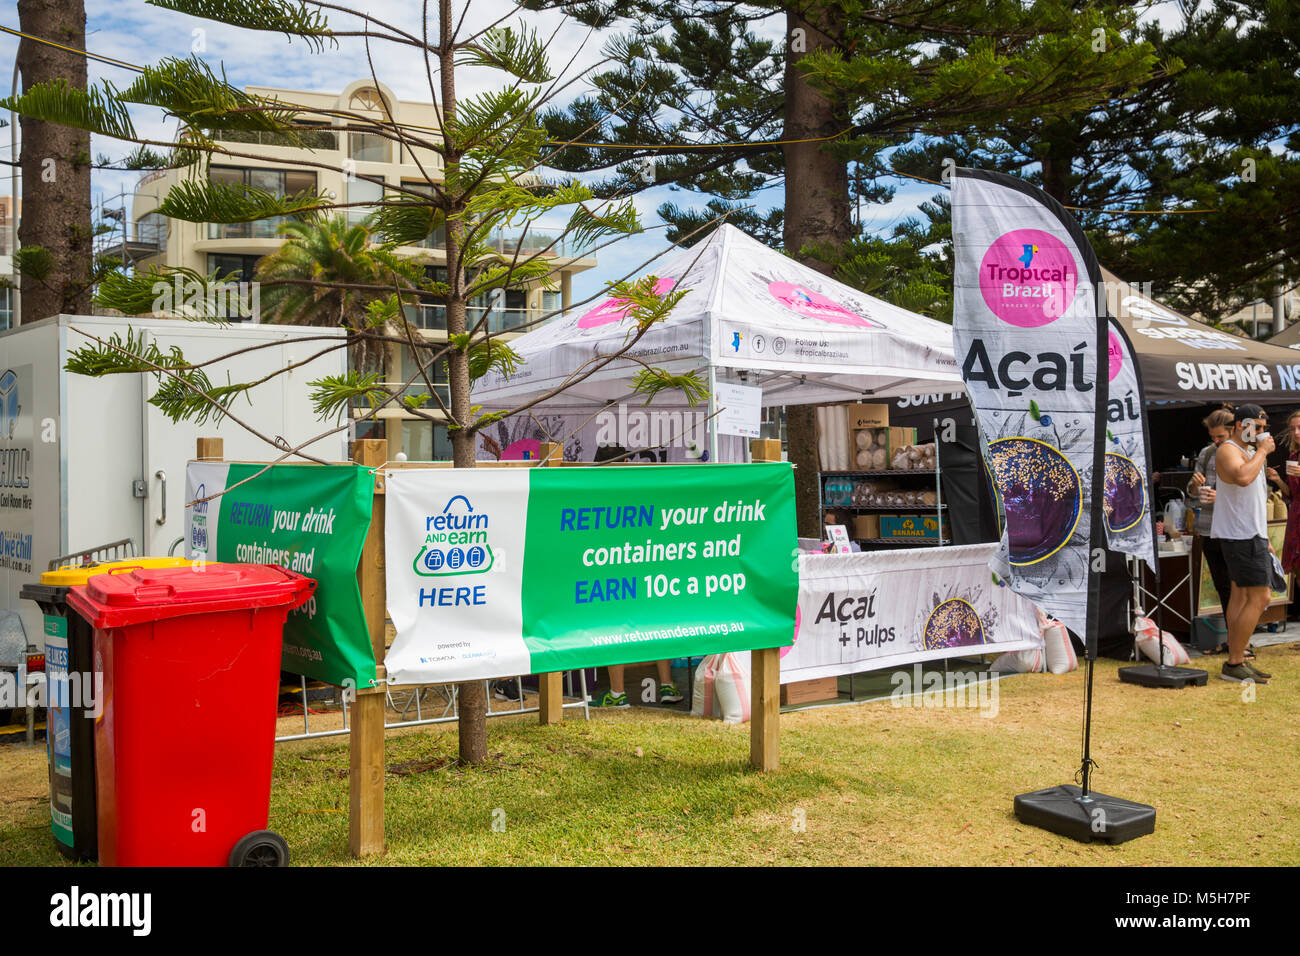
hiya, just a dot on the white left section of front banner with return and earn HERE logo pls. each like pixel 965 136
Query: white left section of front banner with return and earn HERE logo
pixel 454 565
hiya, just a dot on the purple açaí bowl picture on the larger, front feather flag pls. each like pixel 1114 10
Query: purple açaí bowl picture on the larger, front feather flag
pixel 1042 496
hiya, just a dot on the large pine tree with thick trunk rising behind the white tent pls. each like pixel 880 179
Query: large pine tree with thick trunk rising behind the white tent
pixel 851 83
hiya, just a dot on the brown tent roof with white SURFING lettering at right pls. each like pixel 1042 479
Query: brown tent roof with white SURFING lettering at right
pixel 1189 362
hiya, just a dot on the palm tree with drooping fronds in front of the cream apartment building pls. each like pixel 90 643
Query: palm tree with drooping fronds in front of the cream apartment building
pixel 313 280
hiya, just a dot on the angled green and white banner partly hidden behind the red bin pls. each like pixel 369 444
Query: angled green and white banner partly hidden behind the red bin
pixel 309 518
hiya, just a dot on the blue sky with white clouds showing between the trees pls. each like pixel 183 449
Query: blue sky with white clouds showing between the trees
pixel 135 32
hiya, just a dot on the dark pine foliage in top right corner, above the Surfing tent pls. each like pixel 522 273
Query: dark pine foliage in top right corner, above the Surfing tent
pixel 1204 137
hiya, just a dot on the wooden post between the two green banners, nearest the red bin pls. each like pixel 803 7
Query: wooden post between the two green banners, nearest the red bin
pixel 366 777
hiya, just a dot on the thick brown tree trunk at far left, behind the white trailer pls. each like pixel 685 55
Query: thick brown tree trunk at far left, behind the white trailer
pixel 55 166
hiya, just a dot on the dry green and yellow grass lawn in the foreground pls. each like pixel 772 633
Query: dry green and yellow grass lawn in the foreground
pixel 872 784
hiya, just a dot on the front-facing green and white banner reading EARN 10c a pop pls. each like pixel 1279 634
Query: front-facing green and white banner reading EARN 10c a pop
pixel 502 572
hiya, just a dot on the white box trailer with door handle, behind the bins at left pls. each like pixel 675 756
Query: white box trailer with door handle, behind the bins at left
pixel 85 461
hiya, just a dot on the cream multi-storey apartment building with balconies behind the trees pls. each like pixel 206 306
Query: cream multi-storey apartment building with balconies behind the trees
pixel 268 163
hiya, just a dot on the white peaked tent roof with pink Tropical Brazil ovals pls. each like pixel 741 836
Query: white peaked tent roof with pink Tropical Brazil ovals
pixel 757 317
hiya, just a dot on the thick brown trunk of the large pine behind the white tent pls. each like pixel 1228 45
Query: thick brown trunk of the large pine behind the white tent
pixel 817 211
